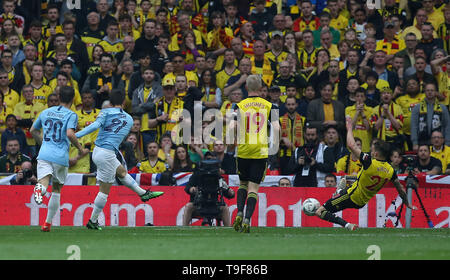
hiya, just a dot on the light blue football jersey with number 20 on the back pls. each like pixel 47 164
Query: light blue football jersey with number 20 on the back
pixel 55 122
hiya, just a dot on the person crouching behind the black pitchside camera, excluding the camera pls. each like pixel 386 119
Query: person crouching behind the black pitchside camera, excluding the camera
pixel 192 188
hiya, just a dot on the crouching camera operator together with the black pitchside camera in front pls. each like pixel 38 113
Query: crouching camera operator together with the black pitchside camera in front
pixel 206 189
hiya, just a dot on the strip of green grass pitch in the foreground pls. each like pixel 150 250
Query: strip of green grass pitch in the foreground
pixel 219 243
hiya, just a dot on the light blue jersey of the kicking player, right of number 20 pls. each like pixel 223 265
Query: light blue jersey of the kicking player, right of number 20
pixel 114 124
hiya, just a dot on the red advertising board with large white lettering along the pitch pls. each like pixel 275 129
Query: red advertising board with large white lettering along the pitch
pixel 280 207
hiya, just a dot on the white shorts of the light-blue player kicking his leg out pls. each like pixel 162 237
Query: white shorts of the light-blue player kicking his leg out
pixel 107 163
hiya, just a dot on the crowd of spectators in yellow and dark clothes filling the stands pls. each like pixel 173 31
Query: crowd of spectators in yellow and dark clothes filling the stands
pixel 388 69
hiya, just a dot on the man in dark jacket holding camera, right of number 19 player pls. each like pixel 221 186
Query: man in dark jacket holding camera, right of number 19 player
pixel 304 162
